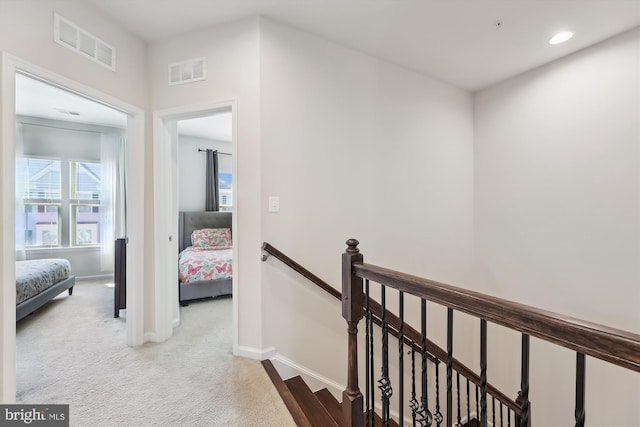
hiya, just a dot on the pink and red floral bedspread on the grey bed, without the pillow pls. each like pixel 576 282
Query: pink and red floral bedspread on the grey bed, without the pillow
pixel 204 264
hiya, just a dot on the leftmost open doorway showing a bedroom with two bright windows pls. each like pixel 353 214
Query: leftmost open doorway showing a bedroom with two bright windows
pixel 69 209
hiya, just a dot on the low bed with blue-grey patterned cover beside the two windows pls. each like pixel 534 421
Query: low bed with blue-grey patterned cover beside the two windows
pixel 40 281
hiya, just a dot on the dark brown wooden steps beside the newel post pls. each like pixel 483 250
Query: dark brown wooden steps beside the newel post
pixel 308 408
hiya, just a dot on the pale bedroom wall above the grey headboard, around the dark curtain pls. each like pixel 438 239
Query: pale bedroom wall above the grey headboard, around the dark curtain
pixel 192 169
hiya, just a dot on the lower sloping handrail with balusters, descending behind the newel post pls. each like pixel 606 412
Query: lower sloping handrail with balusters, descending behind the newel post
pixel 411 341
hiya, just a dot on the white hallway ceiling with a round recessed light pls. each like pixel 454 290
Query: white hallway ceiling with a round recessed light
pixel 452 40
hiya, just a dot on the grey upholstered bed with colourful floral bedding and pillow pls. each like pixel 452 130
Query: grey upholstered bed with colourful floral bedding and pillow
pixel 205 258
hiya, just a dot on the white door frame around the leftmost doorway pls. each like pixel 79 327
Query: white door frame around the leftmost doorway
pixel 9 65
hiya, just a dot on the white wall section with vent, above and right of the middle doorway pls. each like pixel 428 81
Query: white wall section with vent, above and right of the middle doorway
pixel 232 55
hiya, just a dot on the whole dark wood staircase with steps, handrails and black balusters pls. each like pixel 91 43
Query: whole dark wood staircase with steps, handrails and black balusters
pixel 489 405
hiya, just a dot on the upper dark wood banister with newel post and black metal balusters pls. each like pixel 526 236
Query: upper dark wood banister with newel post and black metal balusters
pixel 614 346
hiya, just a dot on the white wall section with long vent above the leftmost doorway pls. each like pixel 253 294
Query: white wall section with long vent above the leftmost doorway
pixel 26 30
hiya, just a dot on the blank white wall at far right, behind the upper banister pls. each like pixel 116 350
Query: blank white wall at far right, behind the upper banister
pixel 557 213
